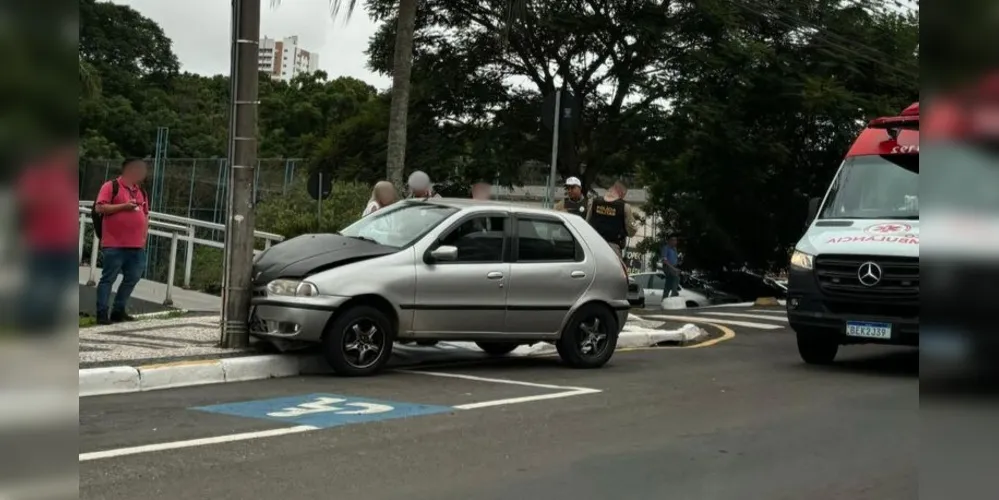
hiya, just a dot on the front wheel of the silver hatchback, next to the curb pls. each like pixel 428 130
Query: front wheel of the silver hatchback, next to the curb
pixel 349 340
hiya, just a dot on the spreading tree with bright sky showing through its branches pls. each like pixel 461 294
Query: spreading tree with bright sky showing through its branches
pixel 486 77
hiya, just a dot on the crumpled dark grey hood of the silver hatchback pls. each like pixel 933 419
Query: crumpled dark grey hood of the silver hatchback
pixel 303 255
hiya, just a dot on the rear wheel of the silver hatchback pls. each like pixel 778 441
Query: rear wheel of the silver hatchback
pixel 589 338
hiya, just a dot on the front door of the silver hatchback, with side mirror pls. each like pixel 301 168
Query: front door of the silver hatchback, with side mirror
pixel 467 296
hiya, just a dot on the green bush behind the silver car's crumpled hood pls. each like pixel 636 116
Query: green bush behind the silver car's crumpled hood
pixel 297 213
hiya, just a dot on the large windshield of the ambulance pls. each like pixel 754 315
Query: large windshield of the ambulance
pixel 875 187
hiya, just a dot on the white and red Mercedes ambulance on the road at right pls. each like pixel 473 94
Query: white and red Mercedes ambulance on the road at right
pixel 854 275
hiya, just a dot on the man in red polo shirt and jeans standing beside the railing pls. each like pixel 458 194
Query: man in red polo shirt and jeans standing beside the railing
pixel 124 210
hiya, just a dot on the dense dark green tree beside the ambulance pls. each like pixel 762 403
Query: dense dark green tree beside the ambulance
pixel 765 103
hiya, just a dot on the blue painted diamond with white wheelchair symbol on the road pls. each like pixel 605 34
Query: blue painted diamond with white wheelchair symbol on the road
pixel 324 410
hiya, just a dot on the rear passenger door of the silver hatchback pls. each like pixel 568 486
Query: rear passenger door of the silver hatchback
pixel 548 274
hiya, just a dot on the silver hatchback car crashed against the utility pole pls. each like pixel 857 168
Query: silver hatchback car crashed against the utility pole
pixel 495 273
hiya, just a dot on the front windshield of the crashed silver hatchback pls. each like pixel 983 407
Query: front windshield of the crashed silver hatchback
pixel 399 225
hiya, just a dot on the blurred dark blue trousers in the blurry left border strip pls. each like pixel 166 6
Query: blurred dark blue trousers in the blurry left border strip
pixel 51 274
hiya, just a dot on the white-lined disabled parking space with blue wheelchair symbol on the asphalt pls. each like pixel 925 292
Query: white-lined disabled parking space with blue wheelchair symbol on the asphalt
pixel 121 425
